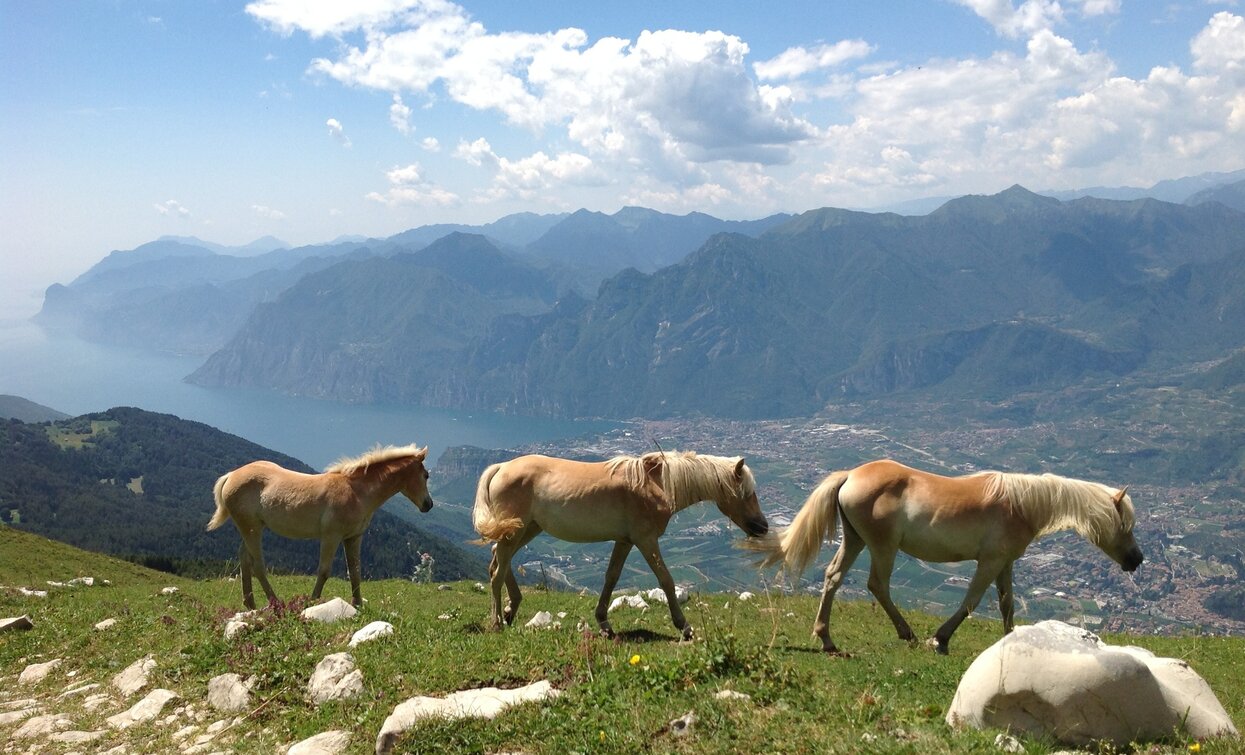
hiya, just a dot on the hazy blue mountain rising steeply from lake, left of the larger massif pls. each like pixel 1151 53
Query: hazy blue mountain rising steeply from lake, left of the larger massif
pixel 384 328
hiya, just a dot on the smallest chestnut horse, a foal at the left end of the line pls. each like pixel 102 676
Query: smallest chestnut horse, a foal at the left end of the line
pixel 334 508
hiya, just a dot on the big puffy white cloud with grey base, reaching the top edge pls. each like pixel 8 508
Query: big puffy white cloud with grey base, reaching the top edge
pixel 673 98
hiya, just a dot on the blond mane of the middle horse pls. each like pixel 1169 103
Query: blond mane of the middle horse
pixel 687 477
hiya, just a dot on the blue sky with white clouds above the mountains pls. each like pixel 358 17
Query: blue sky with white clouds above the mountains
pixel 123 121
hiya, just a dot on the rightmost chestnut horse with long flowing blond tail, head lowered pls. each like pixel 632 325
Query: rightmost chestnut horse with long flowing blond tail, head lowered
pixel 989 518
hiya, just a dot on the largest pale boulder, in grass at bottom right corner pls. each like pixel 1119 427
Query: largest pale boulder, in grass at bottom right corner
pixel 1058 681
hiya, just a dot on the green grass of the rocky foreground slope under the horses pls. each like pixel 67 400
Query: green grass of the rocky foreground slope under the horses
pixel 802 701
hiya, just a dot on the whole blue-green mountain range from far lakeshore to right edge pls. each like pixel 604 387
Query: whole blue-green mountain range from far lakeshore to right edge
pixel 985 296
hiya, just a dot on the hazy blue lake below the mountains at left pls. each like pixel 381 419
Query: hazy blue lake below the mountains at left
pixel 77 377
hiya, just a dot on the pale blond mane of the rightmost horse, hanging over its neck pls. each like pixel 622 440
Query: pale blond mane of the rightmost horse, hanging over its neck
pixel 1050 504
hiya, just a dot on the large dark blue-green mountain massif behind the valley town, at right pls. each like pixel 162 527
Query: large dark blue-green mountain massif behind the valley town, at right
pixel 988 295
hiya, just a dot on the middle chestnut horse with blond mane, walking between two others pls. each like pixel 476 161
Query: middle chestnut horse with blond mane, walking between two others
pixel 628 500
